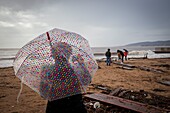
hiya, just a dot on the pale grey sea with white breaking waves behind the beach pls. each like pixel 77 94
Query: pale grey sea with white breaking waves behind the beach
pixel 7 55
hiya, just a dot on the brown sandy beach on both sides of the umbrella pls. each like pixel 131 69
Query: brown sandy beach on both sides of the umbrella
pixel 146 76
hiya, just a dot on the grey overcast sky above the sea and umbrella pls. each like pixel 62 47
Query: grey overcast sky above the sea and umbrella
pixel 104 23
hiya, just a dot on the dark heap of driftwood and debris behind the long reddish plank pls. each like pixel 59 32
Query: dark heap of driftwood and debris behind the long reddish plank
pixel 139 96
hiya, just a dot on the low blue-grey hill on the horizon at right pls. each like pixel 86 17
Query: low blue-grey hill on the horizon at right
pixel 155 43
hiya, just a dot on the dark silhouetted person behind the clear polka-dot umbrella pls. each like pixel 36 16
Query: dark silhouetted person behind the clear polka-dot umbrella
pixel 70 103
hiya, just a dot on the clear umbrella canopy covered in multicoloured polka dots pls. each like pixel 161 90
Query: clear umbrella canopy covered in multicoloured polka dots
pixel 56 64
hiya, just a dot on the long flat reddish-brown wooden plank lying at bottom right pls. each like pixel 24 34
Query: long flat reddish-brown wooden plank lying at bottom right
pixel 125 103
